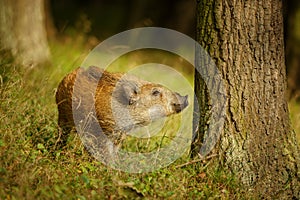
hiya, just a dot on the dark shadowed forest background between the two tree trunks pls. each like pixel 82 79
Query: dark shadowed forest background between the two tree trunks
pixel 107 18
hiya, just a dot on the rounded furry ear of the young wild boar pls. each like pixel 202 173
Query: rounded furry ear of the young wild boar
pixel 127 93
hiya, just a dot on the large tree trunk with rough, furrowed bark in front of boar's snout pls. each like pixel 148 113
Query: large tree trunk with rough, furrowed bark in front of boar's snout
pixel 245 39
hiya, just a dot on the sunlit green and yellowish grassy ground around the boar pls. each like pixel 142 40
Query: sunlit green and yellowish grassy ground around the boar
pixel 31 168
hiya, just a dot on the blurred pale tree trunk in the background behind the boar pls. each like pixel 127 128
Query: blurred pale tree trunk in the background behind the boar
pixel 22 31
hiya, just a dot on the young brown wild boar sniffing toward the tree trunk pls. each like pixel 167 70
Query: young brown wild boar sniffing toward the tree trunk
pixel 121 102
